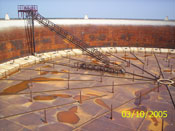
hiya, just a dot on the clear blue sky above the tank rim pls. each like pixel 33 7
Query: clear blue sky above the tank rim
pixel 124 9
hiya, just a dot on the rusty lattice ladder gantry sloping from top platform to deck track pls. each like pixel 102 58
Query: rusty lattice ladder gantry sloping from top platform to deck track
pixel 31 11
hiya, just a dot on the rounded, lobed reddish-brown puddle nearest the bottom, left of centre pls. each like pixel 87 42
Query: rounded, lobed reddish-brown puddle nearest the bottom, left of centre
pixel 68 116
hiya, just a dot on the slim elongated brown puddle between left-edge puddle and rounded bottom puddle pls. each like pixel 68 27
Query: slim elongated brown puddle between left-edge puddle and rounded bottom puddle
pixel 51 97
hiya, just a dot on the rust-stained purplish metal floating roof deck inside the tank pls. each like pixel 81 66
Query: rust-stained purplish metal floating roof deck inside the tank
pixel 49 93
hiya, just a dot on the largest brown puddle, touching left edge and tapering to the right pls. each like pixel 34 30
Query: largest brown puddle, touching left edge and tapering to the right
pixel 24 85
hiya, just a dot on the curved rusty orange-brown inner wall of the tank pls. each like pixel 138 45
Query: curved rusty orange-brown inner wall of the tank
pixel 13 41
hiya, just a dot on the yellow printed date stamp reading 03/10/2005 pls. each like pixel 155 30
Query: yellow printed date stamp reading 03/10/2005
pixel 142 114
